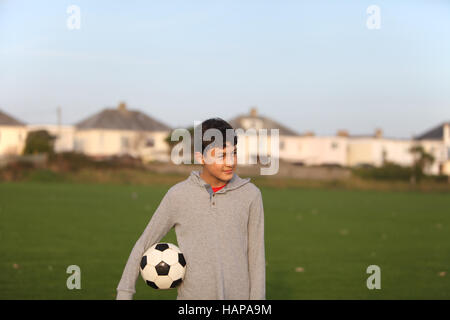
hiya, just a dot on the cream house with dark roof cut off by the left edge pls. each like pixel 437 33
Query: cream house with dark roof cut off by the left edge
pixel 13 135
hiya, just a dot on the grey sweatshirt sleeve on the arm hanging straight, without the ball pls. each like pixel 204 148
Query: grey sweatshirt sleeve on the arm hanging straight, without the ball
pixel 256 254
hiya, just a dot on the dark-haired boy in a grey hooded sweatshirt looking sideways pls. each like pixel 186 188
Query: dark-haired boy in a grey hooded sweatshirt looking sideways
pixel 219 224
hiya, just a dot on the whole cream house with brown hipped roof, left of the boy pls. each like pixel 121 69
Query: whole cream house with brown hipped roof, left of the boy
pixel 120 131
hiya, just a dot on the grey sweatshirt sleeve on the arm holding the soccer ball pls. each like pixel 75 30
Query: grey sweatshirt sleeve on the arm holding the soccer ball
pixel 160 223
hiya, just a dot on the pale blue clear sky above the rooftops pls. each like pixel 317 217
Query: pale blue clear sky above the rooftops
pixel 310 65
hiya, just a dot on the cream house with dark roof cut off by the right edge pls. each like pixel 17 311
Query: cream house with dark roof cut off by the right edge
pixel 436 141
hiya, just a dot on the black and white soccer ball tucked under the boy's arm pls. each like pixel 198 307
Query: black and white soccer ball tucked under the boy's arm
pixel 163 266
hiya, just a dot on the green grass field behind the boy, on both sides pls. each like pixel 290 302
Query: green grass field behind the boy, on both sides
pixel 319 242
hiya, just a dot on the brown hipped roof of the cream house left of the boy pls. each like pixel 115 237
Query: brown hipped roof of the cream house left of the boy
pixel 122 119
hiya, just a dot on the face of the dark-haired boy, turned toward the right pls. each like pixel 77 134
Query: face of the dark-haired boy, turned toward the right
pixel 220 162
